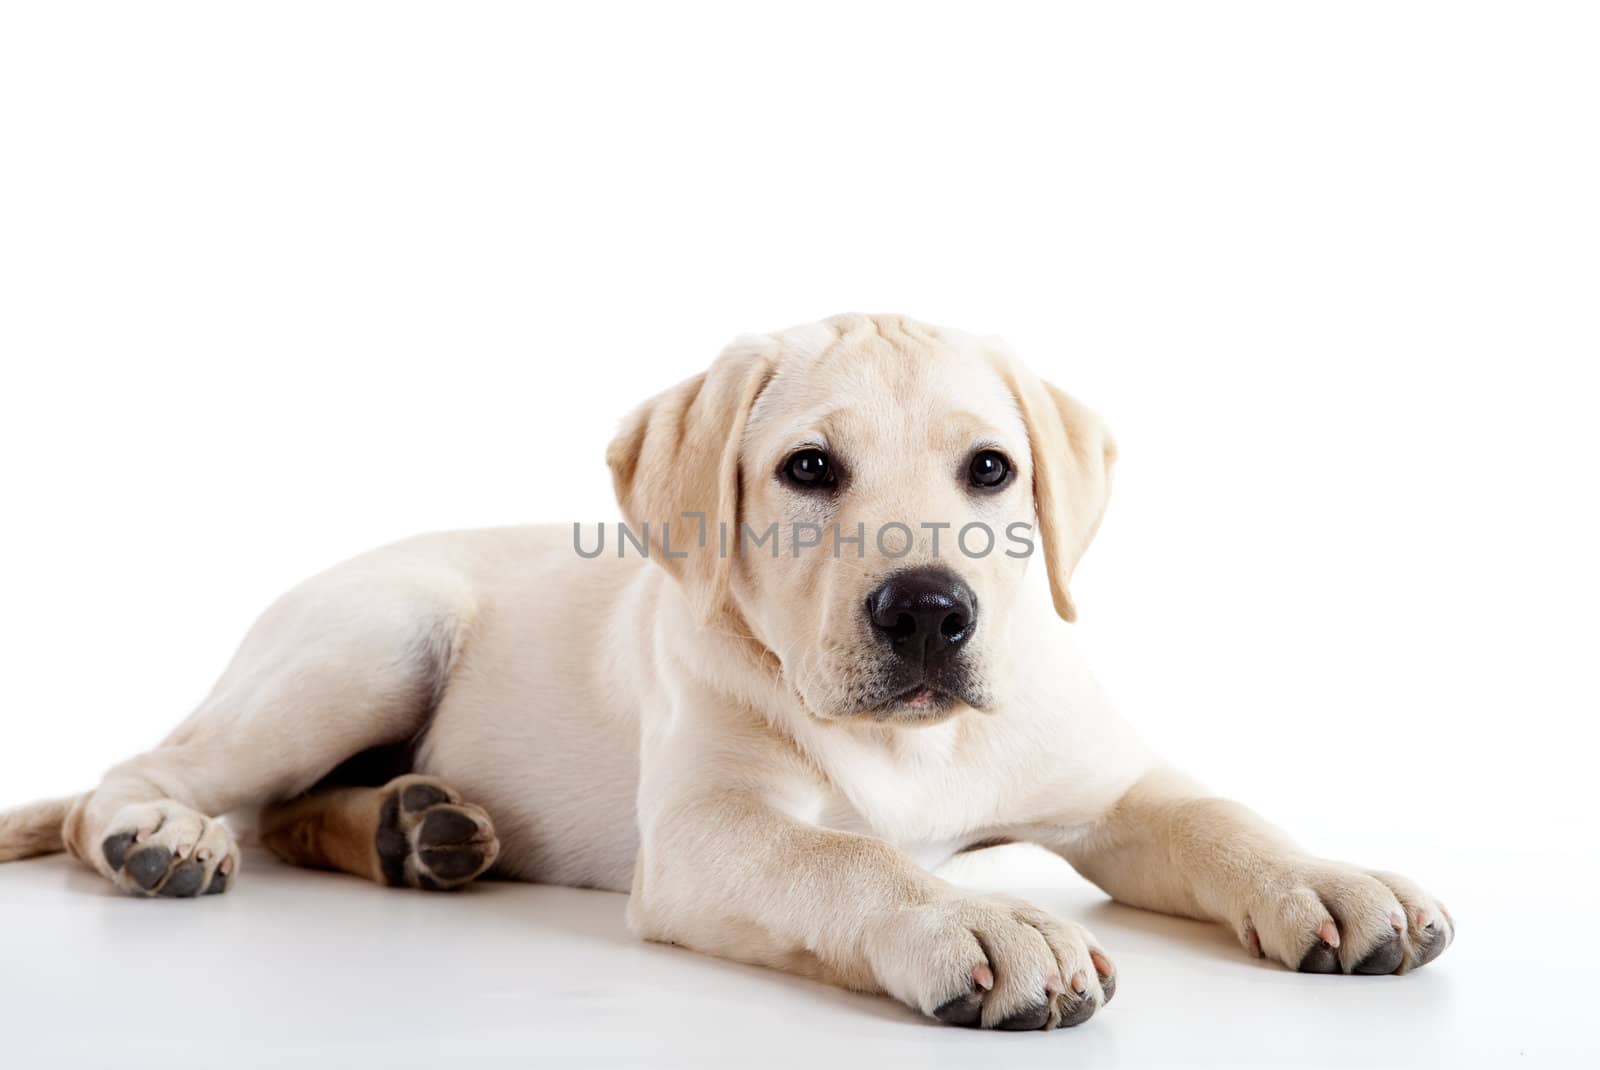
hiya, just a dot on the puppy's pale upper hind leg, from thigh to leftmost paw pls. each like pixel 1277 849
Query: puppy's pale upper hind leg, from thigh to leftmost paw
pixel 351 660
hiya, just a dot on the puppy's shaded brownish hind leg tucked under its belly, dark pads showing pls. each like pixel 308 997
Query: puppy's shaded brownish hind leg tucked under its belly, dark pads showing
pixel 414 832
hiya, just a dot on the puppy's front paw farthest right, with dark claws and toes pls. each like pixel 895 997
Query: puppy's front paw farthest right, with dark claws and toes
pixel 1330 919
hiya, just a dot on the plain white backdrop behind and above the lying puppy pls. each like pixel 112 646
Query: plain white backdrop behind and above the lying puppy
pixel 281 284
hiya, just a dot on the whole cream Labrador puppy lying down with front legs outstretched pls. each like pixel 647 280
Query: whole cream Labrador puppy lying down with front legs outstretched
pixel 762 733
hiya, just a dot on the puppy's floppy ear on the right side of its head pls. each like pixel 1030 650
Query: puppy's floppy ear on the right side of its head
pixel 1073 457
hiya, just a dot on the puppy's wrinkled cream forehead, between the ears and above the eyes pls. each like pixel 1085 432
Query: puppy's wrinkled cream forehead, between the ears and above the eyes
pixel 874 391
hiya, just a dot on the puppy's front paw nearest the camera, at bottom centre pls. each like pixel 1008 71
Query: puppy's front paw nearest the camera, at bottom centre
pixel 990 962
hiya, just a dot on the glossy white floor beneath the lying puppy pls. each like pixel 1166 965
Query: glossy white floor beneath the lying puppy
pixel 295 968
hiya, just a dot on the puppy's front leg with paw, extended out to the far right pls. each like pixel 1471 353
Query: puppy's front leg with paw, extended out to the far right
pixel 1170 847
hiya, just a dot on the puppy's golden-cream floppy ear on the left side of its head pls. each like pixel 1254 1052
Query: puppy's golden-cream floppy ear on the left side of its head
pixel 679 453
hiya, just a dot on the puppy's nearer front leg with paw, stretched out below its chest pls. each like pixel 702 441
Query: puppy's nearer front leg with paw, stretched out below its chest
pixel 732 872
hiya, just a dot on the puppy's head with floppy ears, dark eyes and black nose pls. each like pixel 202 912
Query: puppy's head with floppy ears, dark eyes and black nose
pixel 862 497
